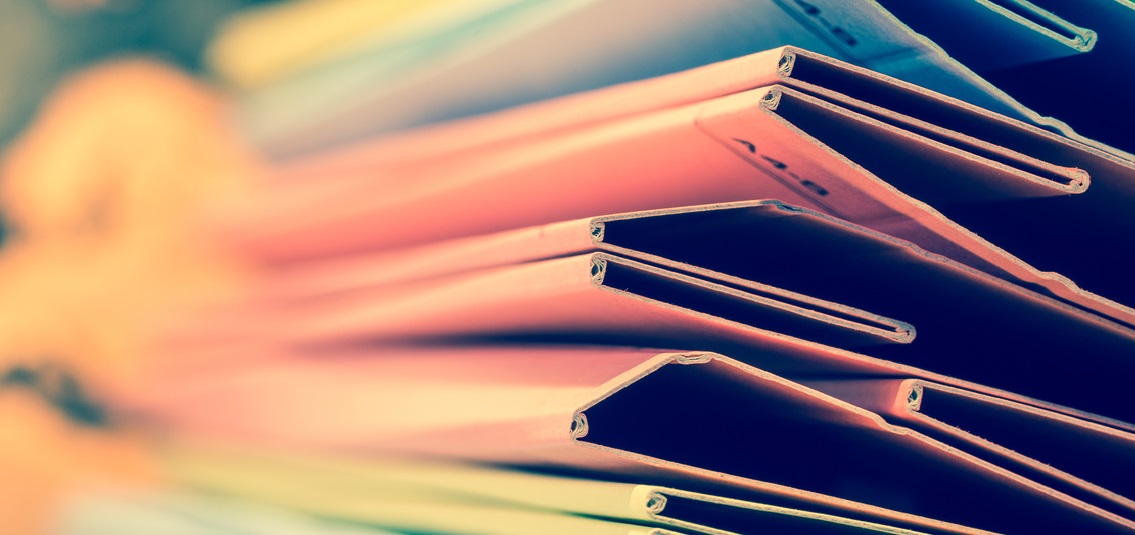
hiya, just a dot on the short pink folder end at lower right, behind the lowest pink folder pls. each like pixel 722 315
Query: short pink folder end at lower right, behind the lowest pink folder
pixel 1083 458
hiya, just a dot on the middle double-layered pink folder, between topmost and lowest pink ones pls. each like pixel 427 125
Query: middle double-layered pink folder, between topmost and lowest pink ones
pixel 761 280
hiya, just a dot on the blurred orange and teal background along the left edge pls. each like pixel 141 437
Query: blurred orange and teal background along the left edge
pixel 112 133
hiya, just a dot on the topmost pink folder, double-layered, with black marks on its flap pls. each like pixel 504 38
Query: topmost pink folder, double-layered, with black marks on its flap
pixel 889 169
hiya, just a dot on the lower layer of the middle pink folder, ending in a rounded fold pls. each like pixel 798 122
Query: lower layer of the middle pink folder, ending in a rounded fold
pixel 599 298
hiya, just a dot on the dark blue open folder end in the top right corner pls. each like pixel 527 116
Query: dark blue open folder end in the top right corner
pixel 969 45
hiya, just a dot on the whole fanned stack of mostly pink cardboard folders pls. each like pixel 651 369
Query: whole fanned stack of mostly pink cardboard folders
pixel 776 294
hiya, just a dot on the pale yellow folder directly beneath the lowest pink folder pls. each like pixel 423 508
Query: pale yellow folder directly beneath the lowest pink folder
pixel 226 471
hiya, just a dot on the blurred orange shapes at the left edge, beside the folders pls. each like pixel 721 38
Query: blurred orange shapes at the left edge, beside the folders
pixel 103 195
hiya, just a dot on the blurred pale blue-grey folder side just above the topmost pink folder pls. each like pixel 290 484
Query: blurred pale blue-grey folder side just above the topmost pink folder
pixel 393 88
